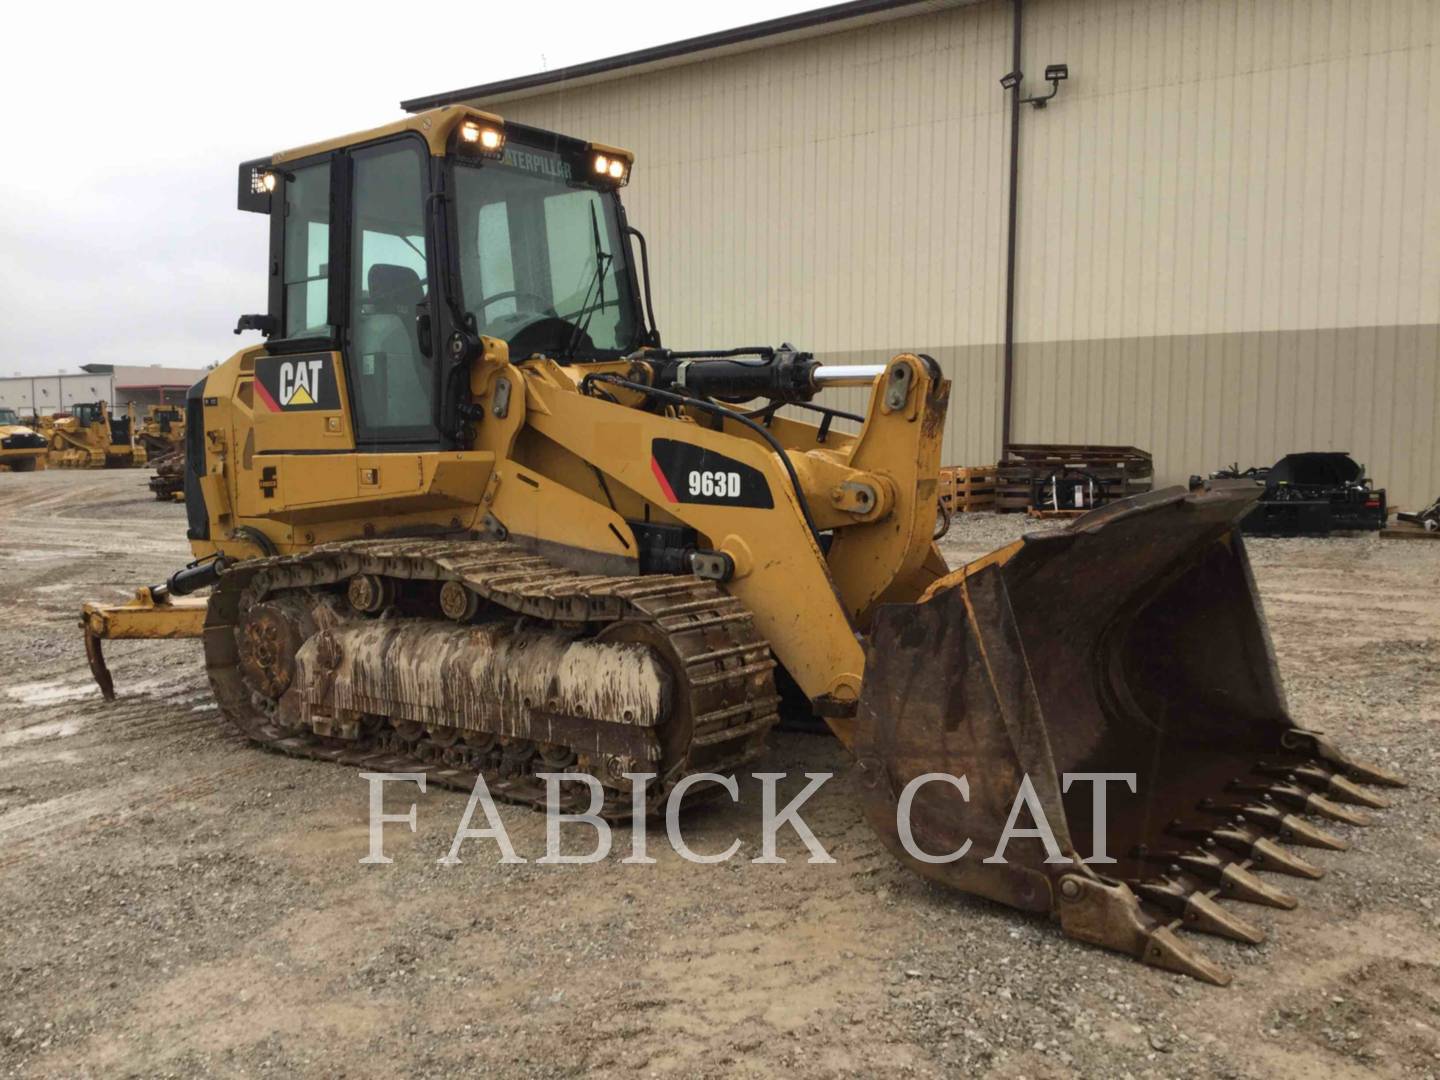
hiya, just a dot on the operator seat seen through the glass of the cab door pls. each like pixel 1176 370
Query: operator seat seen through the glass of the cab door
pixel 392 378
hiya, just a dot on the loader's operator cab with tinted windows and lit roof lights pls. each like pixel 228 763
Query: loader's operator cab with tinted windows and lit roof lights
pixel 392 253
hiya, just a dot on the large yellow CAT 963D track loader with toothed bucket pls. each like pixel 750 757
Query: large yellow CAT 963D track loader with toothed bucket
pixel 462 512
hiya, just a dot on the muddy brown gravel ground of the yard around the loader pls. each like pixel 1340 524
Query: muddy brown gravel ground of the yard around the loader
pixel 178 904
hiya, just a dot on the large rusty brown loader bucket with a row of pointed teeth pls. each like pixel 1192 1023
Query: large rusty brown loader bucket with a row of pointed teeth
pixel 1130 643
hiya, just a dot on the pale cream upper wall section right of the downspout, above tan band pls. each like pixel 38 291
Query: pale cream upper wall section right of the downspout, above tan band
pixel 1216 166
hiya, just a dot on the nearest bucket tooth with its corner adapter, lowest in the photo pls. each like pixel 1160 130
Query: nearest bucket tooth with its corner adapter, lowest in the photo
pixel 1110 915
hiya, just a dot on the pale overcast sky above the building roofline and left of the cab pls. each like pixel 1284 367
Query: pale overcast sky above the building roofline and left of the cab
pixel 120 241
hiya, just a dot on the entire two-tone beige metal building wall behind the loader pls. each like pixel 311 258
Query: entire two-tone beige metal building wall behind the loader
pixel 1228 247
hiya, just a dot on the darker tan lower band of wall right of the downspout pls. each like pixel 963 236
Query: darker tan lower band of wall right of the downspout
pixel 1200 397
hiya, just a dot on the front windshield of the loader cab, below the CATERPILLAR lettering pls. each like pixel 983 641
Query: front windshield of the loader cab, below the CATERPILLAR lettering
pixel 544 261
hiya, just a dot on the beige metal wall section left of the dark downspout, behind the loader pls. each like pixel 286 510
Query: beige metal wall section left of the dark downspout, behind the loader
pixel 846 194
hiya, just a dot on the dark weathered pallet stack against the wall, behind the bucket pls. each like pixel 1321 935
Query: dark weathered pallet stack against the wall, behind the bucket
pixel 1029 470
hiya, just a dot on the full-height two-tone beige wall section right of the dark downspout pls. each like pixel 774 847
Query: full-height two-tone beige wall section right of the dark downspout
pixel 1230 241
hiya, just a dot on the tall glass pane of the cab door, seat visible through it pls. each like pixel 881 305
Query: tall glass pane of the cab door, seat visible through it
pixel 392 381
